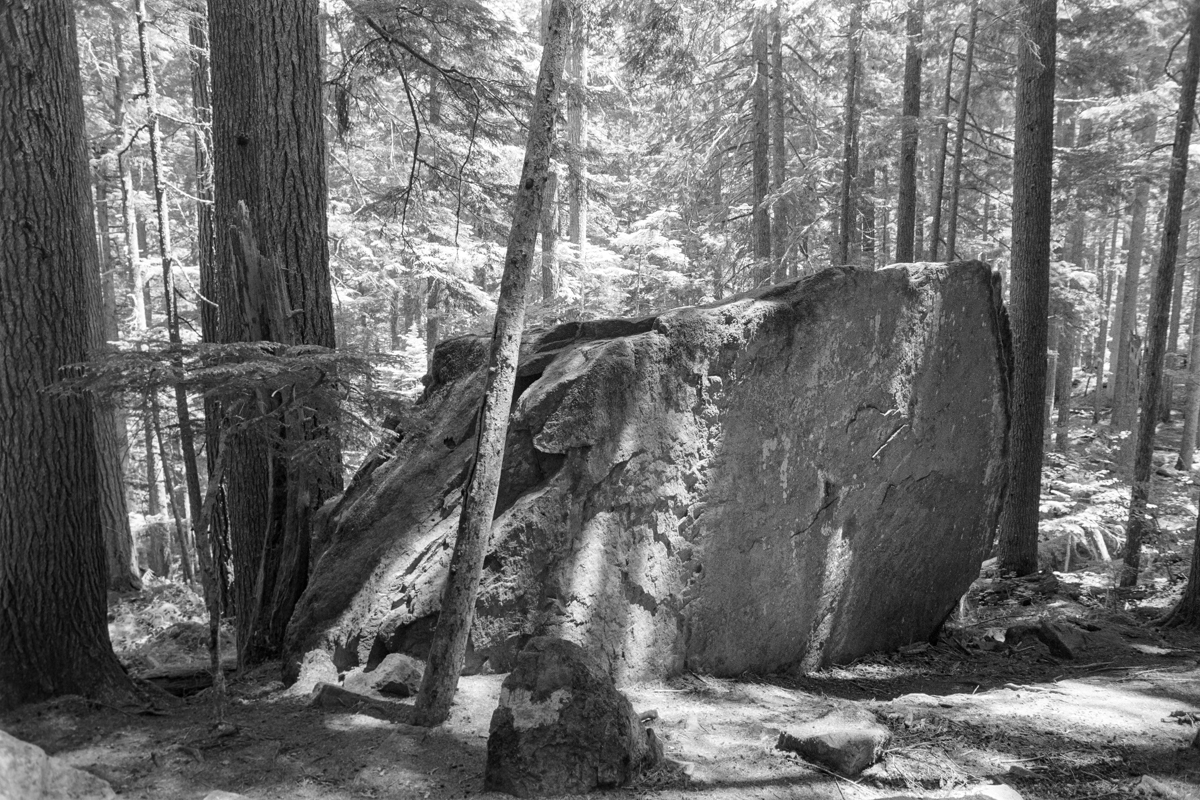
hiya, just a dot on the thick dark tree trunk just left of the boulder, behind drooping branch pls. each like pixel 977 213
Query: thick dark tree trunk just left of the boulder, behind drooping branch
pixel 269 155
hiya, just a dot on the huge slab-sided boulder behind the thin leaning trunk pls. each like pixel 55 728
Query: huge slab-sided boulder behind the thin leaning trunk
pixel 802 474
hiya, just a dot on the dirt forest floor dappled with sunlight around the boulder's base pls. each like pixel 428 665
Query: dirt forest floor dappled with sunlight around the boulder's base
pixel 987 703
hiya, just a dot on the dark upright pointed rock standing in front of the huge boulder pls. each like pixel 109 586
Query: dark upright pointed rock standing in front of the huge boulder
pixel 563 729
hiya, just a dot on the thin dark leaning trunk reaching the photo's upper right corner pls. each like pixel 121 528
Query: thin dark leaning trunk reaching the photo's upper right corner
pixel 1161 306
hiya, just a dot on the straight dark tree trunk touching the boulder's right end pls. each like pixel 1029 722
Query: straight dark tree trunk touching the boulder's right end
pixel 1033 178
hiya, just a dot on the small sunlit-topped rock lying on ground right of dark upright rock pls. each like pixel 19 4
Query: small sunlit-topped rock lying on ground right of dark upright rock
pixel 847 742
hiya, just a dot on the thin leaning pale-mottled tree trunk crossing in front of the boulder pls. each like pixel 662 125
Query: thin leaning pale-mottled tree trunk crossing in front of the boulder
pixel 449 646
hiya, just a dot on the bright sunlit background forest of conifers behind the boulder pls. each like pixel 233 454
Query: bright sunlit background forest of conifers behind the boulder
pixel 707 149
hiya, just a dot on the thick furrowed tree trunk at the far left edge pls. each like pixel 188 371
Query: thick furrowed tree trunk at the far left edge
pixel 55 640
